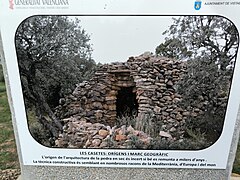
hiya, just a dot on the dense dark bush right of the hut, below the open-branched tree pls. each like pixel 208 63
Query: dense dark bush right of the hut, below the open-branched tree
pixel 206 88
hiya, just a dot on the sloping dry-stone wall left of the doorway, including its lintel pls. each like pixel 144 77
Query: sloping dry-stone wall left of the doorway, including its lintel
pixel 95 101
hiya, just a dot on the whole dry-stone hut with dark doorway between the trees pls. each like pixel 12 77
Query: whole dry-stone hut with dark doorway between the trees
pixel 143 87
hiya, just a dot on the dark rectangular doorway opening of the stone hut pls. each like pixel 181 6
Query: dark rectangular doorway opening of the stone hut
pixel 126 102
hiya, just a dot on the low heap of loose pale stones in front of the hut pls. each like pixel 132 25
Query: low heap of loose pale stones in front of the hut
pixel 82 134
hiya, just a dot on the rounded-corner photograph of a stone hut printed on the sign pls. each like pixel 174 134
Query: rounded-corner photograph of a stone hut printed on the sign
pixel 126 82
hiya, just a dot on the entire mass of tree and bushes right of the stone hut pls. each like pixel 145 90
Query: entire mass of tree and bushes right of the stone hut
pixel 208 45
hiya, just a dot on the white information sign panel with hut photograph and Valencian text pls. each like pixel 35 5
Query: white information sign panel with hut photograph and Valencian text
pixel 139 84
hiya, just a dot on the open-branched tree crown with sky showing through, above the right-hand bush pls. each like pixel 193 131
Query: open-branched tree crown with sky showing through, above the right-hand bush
pixel 197 36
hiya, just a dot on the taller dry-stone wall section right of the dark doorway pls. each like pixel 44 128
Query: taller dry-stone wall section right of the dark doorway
pixel 155 79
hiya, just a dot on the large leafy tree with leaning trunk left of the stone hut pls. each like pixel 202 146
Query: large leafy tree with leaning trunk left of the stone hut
pixel 53 54
